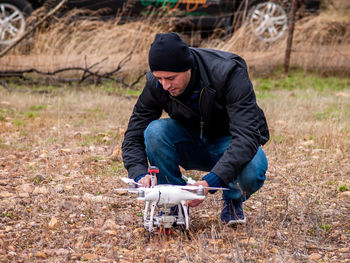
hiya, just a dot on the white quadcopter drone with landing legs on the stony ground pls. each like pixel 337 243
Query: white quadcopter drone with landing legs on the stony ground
pixel 168 198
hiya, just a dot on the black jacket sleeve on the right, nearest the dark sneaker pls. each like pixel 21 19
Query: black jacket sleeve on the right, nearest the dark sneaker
pixel 244 126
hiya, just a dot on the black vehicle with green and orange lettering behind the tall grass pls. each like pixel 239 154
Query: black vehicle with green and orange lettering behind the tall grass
pixel 268 19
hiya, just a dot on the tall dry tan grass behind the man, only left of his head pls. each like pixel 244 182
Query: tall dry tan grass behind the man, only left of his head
pixel 83 43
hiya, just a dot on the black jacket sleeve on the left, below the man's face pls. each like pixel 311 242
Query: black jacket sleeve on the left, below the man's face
pixel 146 109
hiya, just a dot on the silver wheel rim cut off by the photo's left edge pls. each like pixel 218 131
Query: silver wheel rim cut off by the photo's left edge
pixel 12 23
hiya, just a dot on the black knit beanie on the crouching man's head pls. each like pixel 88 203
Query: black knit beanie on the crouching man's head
pixel 169 53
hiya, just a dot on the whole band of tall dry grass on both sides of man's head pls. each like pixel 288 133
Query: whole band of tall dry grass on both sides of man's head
pixel 321 43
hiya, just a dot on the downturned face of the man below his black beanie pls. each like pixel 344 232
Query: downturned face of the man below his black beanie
pixel 174 82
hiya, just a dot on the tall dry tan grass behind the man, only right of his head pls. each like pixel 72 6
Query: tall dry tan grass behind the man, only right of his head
pixel 321 43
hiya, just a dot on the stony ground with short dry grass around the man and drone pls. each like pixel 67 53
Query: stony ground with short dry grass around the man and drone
pixel 60 161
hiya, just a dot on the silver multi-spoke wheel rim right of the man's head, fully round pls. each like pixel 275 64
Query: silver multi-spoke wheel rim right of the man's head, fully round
pixel 268 21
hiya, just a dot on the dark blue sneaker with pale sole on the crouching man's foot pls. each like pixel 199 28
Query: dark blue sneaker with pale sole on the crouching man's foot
pixel 232 213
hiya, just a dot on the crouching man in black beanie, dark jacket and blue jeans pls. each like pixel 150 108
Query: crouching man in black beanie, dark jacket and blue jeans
pixel 215 124
